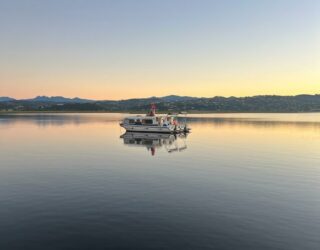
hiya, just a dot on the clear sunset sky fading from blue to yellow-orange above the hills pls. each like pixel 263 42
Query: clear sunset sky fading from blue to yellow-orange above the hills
pixel 123 49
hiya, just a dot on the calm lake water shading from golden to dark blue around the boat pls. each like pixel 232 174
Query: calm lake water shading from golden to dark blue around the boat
pixel 238 181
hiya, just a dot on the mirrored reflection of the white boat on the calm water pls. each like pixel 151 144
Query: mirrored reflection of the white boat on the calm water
pixel 152 141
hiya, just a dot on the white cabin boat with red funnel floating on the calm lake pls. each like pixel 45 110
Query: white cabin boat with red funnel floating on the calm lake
pixel 152 123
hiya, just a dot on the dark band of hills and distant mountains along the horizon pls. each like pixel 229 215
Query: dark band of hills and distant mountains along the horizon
pixel 171 103
